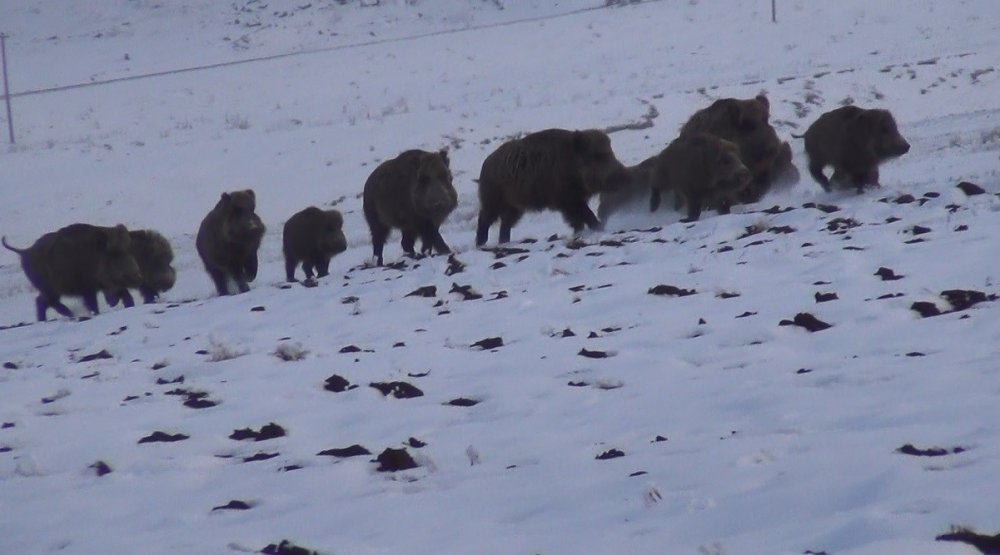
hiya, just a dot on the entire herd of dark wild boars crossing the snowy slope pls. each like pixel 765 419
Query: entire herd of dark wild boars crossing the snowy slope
pixel 725 154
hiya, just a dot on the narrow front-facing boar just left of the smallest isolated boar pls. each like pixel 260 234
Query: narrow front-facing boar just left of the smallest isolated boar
pixel 228 239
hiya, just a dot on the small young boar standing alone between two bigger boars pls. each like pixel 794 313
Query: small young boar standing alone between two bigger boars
pixel 312 236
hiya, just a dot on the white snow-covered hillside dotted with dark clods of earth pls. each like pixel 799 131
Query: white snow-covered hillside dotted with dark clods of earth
pixel 611 419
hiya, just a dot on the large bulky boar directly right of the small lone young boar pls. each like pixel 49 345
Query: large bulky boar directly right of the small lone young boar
pixel 412 192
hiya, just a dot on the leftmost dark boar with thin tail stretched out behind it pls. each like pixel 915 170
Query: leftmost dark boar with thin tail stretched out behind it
pixel 78 260
